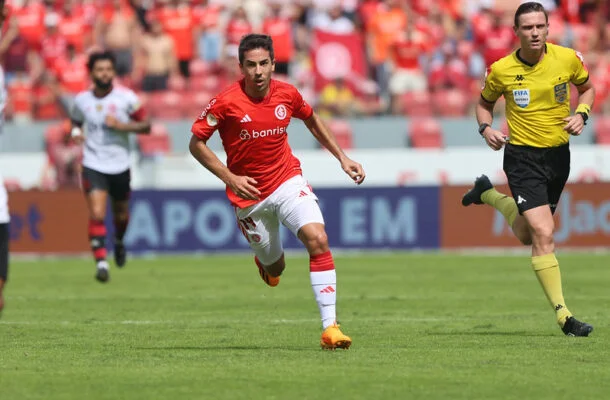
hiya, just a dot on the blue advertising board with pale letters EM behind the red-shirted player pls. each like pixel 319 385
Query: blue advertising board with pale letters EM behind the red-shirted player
pixel 362 218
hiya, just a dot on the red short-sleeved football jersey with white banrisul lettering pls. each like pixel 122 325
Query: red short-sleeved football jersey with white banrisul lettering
pixel 254 134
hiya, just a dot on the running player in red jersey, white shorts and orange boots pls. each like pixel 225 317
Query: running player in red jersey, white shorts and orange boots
pixel 264 179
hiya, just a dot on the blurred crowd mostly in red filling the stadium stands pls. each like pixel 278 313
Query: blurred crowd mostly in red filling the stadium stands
pixel 423 56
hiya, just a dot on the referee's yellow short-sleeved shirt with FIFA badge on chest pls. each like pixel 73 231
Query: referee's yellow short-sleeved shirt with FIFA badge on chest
pixel 537 96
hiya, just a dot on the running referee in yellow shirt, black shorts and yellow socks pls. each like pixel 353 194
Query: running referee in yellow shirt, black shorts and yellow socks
pixel 535 82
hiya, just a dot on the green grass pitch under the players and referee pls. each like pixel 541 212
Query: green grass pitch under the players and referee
pixel 424 326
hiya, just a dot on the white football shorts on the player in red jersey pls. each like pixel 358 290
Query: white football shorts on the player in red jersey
pixel 293 204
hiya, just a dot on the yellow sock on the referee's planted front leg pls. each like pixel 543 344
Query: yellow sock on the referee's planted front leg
pixel 546 268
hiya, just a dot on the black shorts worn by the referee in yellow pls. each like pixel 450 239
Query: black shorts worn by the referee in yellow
pixel 536 176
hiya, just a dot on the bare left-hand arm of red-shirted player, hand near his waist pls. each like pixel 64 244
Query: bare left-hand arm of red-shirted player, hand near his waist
pixel 243 186
